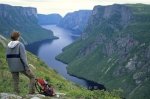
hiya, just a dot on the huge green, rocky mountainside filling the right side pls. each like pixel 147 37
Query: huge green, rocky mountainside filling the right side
pixel 114 49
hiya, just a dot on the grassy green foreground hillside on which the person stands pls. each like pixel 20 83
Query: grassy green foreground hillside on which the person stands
pixel 41 70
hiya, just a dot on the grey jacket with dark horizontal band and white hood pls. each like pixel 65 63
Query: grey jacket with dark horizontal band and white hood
pixel 16 57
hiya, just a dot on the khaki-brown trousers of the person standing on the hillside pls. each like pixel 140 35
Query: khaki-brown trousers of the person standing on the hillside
pixel 29 74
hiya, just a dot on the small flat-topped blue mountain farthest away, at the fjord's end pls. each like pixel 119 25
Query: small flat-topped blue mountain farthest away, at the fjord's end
pixel 48 19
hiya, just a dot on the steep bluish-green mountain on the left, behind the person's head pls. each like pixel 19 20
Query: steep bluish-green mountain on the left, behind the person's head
pixel 23 19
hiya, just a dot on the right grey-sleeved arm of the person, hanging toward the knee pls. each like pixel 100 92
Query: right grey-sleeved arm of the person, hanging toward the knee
pixel 23 56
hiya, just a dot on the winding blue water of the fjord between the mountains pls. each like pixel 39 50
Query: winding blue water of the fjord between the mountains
pixel 47 50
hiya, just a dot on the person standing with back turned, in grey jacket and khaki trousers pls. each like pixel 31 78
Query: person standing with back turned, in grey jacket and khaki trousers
pixel 17 62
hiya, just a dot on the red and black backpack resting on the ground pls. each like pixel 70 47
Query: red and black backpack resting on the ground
pixel 44 88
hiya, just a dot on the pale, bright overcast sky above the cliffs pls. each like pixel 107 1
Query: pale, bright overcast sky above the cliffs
pixel 64 6
